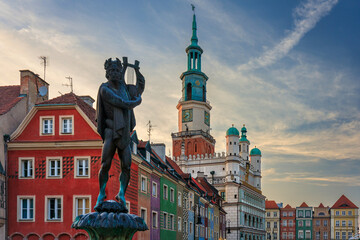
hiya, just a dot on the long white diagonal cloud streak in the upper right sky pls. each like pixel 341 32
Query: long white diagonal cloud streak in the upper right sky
pixel 306 16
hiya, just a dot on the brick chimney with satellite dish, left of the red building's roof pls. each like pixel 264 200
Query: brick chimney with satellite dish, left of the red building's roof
pixel 33 87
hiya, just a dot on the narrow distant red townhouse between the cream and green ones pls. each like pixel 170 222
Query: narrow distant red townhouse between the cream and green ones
pixel 288 223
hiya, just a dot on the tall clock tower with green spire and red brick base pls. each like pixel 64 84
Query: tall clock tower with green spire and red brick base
pixel 193 136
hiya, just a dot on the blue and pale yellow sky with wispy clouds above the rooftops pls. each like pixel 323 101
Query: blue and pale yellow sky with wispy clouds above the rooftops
pixel 289 70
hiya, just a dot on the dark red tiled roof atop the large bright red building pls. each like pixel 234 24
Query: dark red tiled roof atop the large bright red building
pixel 71 98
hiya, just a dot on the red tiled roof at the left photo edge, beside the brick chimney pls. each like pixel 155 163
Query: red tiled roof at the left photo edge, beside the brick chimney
pixel 9 96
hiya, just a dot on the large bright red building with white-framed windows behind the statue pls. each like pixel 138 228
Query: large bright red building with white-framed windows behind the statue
pixel 54 159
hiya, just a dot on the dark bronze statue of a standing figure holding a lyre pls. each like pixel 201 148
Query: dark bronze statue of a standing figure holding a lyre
pixel 115 119
